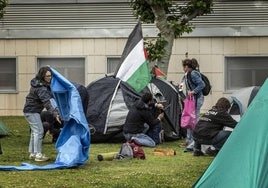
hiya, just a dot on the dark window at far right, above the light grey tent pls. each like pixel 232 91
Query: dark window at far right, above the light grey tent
pixel 245 72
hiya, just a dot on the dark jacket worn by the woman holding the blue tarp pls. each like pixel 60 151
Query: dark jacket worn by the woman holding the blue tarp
pixel 38 98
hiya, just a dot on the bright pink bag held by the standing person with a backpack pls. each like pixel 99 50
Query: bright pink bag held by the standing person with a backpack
pixel 188 117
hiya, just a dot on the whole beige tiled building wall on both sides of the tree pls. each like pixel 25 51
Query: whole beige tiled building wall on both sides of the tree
pixel 210 53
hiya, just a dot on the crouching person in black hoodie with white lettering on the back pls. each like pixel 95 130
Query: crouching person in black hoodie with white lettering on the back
pixel 209 129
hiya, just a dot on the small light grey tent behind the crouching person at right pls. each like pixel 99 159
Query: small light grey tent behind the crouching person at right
pixel 241 99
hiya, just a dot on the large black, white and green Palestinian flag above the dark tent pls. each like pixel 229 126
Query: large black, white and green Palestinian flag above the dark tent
pixel 134 62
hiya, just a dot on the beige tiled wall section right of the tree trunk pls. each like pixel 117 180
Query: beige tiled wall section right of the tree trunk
pixel 210 53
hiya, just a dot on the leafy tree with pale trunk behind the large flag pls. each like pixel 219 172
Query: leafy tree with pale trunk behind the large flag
pixel 172 18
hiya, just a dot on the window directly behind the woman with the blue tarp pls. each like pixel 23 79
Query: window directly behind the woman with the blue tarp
pixel 71 68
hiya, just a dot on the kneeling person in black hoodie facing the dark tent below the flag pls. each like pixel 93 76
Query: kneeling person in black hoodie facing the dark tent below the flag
pixel 139 117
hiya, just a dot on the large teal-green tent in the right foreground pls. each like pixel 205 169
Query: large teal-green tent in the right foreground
pixel 243 160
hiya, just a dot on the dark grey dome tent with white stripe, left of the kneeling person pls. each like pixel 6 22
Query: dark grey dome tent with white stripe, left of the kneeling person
pixel 109 101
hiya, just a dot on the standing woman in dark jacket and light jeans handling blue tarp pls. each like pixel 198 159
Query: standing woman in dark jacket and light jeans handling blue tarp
pixel 37 100
